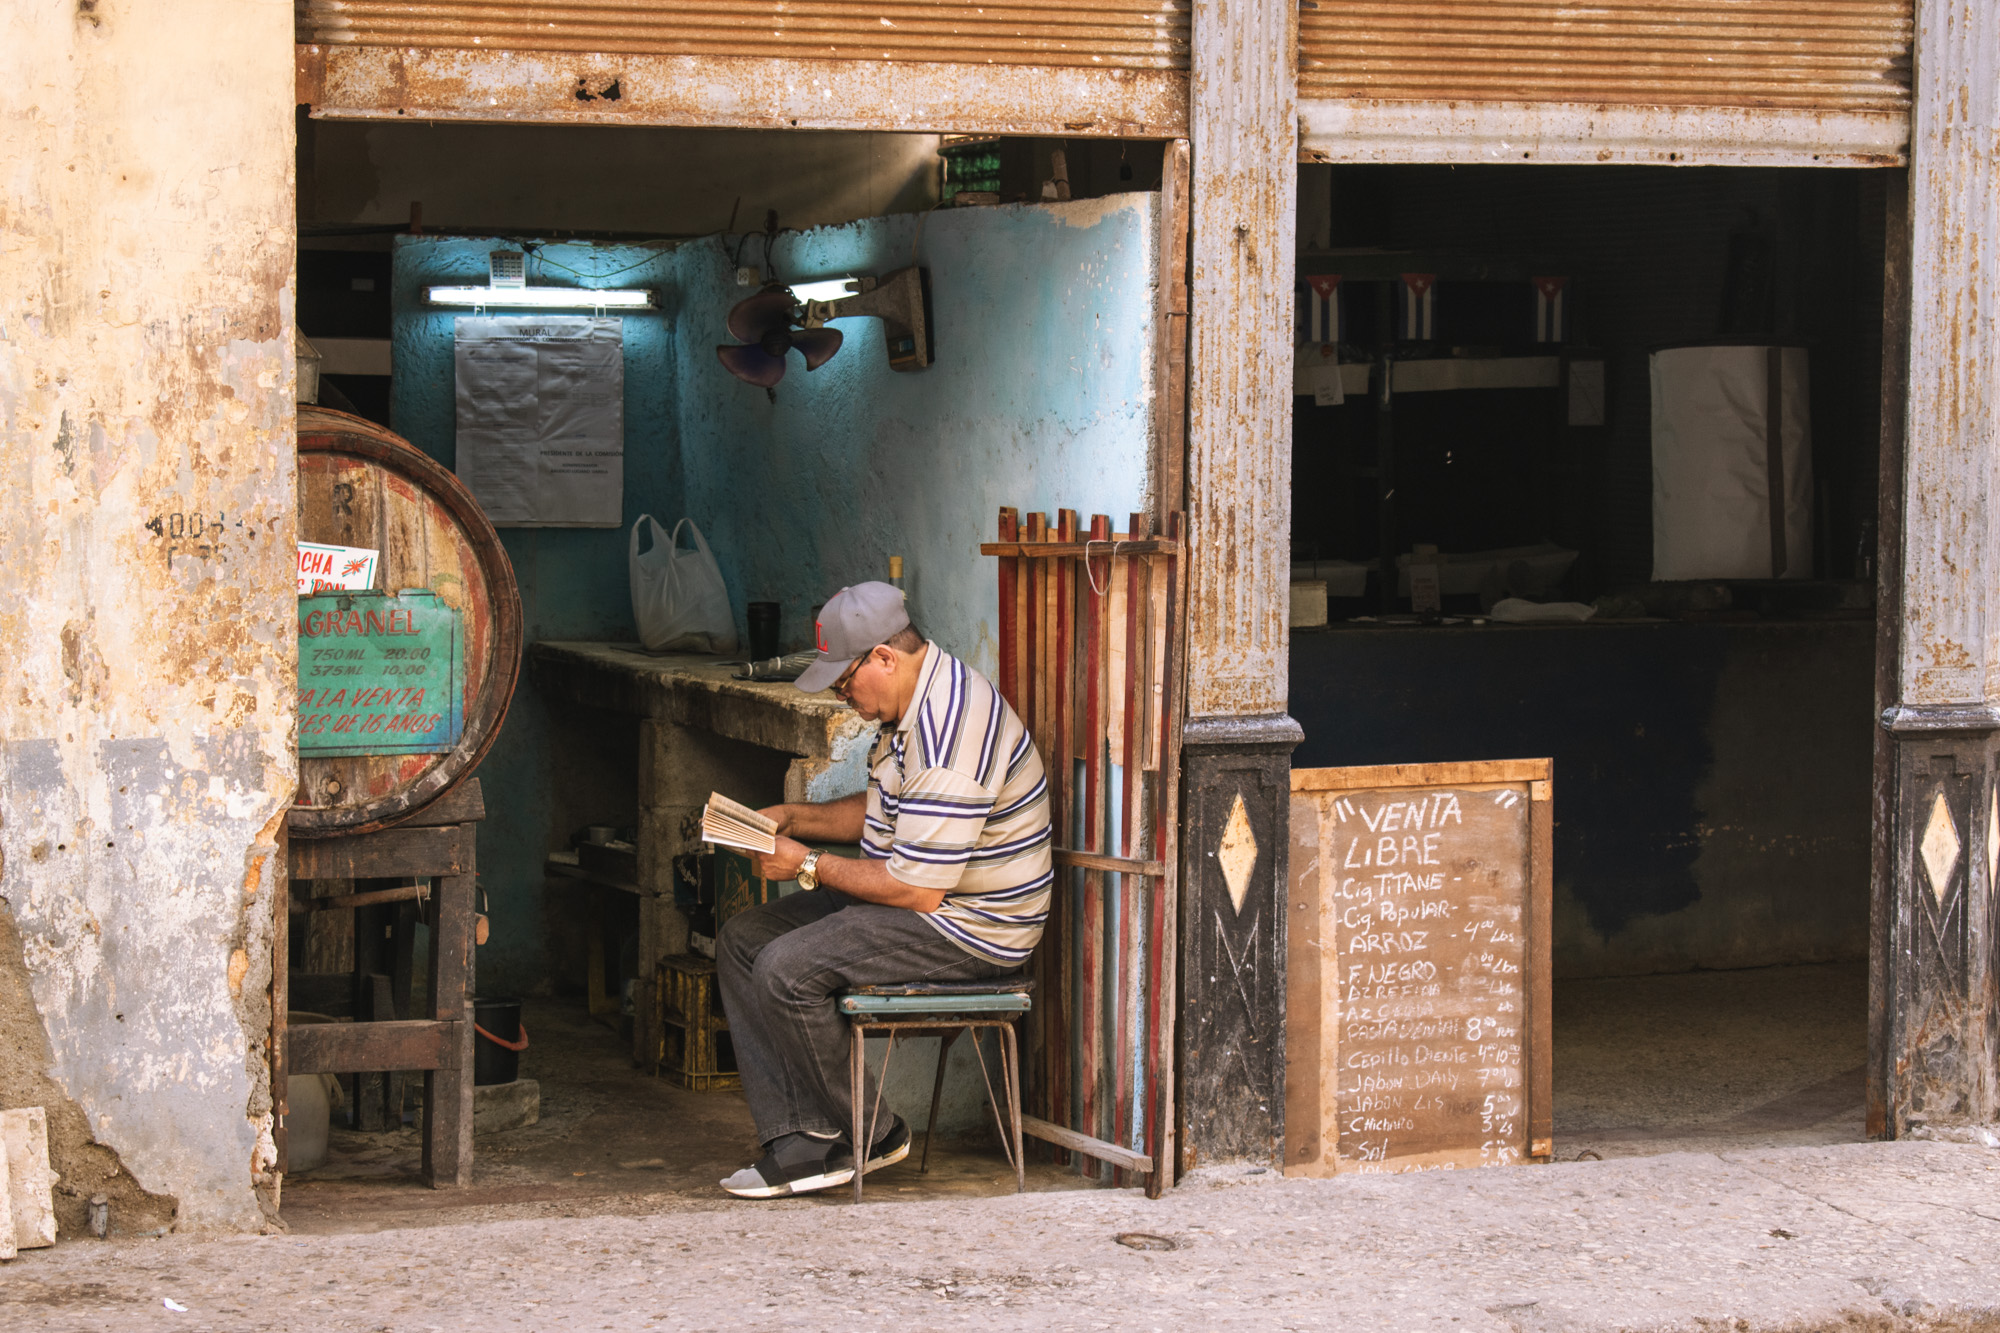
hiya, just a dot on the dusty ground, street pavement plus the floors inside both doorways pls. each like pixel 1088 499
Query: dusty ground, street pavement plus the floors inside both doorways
pixel 1733 1194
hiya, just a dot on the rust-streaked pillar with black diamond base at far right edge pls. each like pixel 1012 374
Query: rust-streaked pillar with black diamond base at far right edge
pixel 1935 1036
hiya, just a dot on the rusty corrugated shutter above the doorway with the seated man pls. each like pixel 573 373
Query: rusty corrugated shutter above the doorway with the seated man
pixel 1137 35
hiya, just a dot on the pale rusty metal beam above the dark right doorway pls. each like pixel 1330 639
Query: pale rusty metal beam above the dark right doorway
pixel 1579 133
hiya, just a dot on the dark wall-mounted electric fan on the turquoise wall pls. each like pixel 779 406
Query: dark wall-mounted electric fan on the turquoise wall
pixel 775 321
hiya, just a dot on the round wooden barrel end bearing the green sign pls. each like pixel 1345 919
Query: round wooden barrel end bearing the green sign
pixel 403 688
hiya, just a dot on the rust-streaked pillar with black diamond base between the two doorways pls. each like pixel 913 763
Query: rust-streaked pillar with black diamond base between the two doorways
pixel 1239 738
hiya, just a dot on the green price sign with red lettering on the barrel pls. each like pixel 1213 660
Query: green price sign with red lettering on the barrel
pixel 379 676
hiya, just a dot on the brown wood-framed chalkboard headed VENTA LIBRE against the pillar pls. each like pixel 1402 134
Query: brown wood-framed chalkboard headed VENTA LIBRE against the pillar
pixel 1419 968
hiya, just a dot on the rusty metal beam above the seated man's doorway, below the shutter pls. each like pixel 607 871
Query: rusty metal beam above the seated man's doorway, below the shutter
pixel 379 83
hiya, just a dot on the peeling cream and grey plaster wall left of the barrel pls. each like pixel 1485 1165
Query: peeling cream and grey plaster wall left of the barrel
pixel 147 704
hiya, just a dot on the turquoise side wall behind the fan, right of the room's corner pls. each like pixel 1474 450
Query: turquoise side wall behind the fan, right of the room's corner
pixel 1039 397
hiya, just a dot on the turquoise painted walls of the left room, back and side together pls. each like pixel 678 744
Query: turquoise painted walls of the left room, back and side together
pixel 1041 397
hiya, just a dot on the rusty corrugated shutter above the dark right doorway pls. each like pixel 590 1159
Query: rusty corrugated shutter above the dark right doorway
pixel 1815 55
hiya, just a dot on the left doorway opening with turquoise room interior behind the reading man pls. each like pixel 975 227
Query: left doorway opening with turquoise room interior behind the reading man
pixel 593 882
